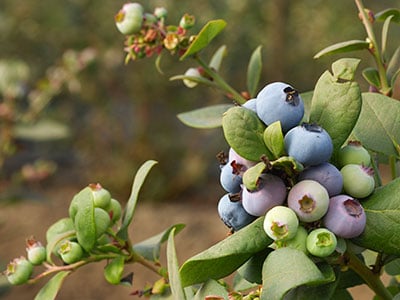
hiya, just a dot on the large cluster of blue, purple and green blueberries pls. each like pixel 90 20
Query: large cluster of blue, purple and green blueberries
pixel 321 203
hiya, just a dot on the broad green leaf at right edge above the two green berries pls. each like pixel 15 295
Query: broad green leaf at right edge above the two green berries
pixel 378 127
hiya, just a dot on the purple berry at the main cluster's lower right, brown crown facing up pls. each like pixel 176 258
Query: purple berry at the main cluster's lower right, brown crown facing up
pixel 345 217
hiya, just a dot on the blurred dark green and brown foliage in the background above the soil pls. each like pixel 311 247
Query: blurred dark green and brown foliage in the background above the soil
pixel 71 111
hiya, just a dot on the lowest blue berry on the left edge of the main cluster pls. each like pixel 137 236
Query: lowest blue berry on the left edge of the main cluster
pixel 233 214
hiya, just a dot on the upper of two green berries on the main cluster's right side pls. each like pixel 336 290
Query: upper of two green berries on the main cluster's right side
pixel 353 153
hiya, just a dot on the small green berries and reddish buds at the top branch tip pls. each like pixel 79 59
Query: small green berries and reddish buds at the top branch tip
pixel 147 32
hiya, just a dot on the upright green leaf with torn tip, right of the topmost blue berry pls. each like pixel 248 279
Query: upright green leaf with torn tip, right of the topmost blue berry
pixel 336 102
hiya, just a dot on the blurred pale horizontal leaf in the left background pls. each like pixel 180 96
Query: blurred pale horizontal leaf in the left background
pixel 43 130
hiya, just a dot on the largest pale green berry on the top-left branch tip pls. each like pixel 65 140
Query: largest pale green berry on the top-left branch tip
pixel 130 18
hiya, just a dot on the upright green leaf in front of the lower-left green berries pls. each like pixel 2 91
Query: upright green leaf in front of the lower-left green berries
pixel 84 221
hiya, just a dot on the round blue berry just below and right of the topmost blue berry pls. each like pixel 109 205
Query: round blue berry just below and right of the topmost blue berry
pixel 309 144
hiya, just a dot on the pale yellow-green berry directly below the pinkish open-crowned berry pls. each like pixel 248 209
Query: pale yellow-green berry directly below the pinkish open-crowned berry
pixel 281 223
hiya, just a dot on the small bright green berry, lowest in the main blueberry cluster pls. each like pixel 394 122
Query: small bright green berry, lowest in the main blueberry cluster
pixel 321 242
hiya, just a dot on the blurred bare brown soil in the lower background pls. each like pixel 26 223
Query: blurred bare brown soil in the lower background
pixel 203 229
